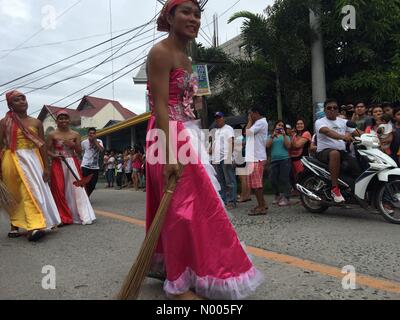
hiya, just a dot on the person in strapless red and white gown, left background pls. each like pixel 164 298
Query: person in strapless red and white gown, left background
pixel 64 145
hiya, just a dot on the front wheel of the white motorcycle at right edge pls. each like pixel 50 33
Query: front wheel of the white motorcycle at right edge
pixel 388 201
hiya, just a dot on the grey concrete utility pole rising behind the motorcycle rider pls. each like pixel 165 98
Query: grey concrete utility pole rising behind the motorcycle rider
pixel 317 64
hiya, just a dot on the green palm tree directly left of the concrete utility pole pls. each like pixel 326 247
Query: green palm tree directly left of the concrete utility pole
pixel 281 37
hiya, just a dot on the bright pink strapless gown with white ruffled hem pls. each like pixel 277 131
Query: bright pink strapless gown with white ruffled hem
pixel 198 248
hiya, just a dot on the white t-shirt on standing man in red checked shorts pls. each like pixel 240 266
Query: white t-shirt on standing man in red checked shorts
pixel 256 141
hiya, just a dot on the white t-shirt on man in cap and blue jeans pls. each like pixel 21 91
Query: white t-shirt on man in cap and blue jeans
pixel 222 144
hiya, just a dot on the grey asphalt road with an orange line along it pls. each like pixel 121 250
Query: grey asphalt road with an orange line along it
pixel 301 254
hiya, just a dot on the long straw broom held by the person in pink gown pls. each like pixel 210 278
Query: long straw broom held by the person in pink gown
pixel 133 282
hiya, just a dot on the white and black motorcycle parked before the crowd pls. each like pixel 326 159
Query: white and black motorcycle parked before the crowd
pixel 377 187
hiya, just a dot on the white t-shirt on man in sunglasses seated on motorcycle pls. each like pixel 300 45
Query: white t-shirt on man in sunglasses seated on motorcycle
pixel 325 142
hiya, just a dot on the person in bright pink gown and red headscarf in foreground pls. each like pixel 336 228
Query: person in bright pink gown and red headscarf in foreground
pixel 198 252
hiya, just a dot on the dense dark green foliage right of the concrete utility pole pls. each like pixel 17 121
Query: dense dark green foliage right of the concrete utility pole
pixel 363 63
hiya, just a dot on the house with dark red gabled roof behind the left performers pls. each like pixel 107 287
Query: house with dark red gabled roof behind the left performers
pixel 91 112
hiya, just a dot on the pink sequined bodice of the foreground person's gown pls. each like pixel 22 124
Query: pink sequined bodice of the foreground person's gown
pixel 182 88
